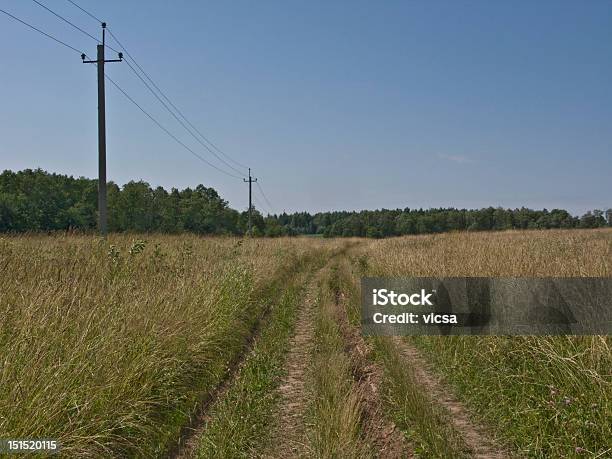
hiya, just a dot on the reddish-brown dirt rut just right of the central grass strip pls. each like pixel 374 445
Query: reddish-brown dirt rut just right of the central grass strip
pixel 387 439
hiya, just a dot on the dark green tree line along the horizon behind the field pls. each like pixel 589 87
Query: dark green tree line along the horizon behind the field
pixel 35 200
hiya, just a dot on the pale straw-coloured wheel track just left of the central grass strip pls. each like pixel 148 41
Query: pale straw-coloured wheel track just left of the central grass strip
pixel 289 437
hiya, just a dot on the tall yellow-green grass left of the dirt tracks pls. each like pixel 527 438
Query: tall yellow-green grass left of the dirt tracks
pixel 107 345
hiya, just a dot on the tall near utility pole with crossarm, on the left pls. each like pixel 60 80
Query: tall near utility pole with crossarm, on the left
pixel 102 210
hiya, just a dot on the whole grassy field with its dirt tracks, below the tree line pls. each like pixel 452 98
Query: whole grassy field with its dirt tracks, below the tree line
pixel 182 346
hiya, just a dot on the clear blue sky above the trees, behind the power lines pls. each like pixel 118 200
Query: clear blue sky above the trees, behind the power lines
pixel 334 104
